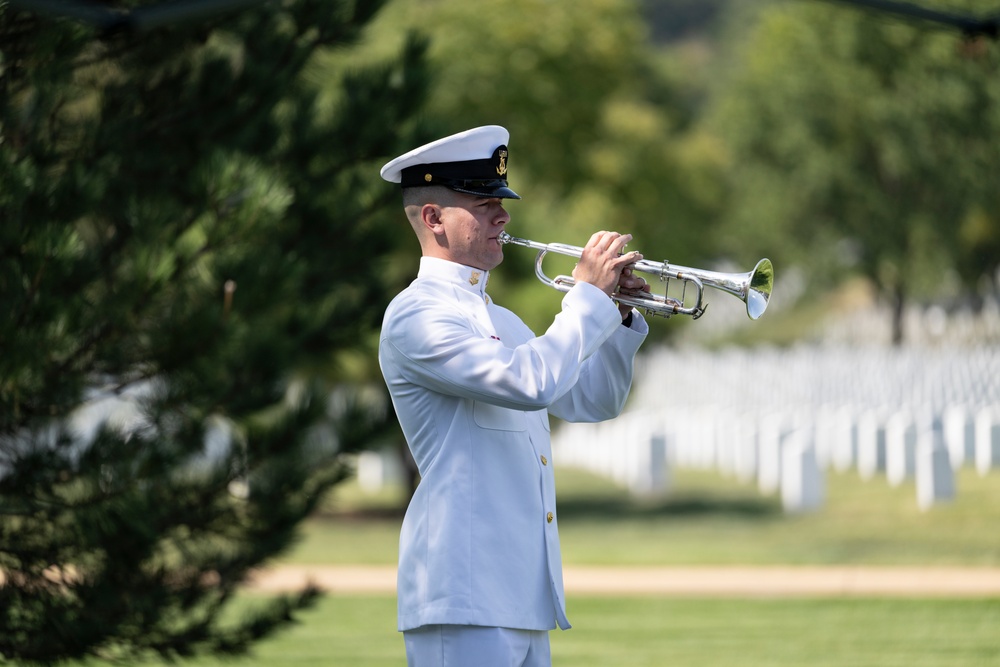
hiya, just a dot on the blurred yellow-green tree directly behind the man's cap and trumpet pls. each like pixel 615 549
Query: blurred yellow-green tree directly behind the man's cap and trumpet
pixel 596 128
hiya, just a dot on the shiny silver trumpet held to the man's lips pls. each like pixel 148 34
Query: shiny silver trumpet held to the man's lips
pixel 752 287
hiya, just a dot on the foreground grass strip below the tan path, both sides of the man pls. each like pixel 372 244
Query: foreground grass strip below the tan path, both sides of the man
pixel 611 632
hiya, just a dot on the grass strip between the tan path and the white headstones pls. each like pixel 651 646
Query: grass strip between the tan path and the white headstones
pixel 708 520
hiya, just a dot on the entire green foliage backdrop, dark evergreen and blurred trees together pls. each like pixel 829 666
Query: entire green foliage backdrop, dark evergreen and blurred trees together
pixel 193 224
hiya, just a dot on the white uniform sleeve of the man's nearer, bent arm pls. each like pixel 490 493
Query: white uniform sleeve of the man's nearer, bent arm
pixel 430 342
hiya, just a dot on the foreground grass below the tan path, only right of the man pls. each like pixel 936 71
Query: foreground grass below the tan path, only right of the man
pixel 815 633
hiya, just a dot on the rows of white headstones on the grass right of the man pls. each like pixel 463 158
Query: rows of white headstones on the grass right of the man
pixel 781 418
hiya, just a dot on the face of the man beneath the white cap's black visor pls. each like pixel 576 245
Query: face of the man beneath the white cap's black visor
pixel 472 225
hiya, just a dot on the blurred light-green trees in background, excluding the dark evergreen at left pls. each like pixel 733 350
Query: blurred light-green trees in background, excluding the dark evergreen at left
pixel 831 139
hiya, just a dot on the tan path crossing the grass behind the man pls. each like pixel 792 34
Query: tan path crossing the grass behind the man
pixel 687 581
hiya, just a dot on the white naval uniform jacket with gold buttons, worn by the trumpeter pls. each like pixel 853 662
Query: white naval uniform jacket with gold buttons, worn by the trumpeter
pixel 473 387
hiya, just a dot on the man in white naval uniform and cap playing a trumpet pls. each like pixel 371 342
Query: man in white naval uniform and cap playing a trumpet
pixel 480 574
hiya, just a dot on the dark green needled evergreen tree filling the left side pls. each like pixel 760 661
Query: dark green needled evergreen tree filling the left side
pixel 186 267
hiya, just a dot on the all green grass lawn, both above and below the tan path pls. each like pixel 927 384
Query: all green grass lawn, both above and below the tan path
pixel 704 520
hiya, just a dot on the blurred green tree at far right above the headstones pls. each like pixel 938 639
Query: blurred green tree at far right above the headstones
pixel 866 142
